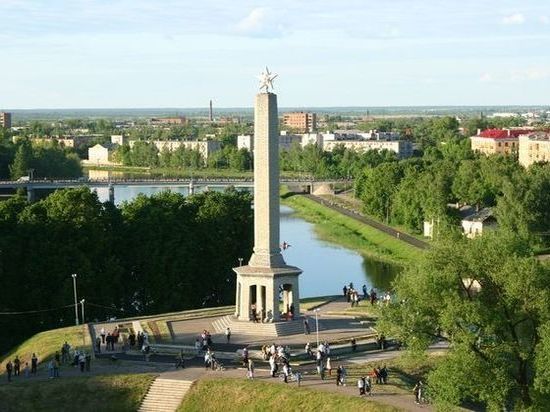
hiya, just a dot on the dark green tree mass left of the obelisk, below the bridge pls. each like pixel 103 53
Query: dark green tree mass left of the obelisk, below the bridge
pixel 154 254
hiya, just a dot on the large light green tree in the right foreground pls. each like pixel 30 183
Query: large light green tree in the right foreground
pixel 490 299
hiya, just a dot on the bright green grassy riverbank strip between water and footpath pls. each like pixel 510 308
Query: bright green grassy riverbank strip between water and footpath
pixel 343 230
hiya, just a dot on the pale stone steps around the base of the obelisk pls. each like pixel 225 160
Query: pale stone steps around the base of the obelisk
pixel 275 329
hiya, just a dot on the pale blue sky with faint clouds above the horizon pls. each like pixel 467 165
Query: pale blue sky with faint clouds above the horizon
pixel 170 53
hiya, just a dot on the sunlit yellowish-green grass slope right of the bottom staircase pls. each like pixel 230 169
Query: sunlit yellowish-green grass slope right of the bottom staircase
pixel 241 395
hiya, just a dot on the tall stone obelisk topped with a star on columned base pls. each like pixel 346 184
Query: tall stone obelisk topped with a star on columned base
pixel 267 276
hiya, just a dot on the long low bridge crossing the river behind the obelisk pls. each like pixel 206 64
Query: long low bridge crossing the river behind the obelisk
pixel 314 186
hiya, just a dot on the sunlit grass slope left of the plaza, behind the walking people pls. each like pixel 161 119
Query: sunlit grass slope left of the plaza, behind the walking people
pixel 45 344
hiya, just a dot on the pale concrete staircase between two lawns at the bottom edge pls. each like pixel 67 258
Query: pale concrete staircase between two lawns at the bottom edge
pixel 165 395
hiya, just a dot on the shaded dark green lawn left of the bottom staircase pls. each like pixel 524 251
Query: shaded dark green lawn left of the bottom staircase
pixel 116 393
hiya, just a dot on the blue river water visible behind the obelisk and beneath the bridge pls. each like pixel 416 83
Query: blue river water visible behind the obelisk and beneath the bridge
pixel 326 266
